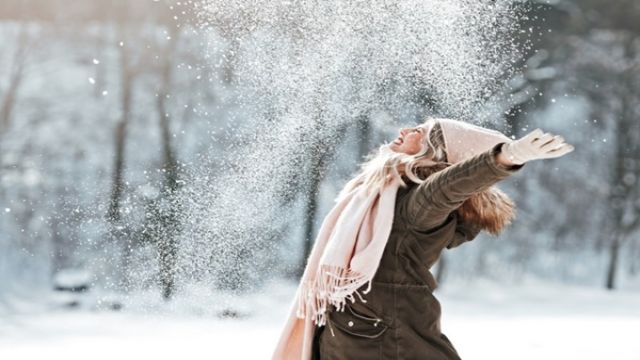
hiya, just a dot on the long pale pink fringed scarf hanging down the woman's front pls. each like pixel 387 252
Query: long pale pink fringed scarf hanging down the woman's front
pixel 345 256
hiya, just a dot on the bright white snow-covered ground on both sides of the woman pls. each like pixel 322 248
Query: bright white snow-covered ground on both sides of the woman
pixel 483 320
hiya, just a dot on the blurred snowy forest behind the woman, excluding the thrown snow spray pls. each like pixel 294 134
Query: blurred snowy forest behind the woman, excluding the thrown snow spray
pixel 108 112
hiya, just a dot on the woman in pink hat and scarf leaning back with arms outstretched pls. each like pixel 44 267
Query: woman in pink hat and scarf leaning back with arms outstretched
pixel 367 292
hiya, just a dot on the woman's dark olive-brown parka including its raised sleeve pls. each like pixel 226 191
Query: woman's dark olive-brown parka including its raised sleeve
pixel 401 316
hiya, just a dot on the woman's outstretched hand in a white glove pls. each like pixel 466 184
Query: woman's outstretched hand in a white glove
pixel 535 145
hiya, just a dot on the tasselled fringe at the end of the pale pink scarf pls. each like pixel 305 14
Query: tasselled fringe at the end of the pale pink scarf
pixel 333 285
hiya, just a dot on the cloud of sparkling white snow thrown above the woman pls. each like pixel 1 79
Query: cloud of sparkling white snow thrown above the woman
pixel 303 71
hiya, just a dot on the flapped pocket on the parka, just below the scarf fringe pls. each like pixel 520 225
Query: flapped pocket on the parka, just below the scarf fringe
pixel 352 322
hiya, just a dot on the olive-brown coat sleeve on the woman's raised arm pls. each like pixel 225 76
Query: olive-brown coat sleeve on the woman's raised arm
pixel 429 205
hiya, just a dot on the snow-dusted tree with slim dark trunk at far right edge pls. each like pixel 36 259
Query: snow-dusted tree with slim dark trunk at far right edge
pixel 607 72
